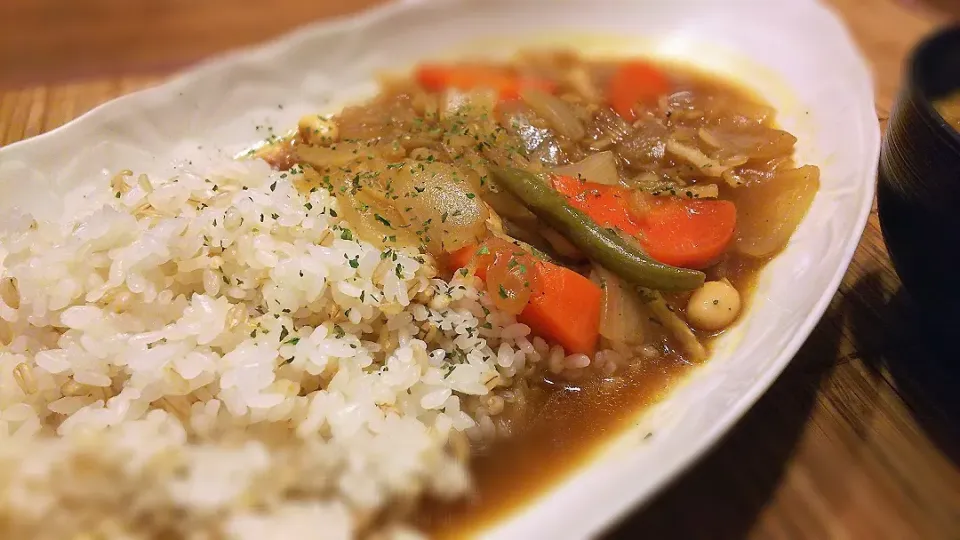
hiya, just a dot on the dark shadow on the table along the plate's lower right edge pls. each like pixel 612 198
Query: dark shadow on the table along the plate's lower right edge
pixel 722 494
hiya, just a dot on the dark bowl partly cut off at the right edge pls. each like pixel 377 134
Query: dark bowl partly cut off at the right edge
pixel 918 190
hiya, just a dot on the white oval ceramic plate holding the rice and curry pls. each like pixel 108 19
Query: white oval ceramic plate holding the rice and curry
pixel 793 52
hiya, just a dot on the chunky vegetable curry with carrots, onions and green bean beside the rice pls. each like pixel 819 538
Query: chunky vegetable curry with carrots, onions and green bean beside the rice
pixel 603 202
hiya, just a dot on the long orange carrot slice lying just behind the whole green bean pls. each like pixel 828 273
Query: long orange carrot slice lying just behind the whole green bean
pixel 690 233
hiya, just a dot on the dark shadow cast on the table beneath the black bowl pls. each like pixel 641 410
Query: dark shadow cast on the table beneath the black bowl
pixel 920 361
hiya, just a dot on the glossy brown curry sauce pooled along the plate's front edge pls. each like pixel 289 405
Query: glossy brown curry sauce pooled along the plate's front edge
pixel 572 421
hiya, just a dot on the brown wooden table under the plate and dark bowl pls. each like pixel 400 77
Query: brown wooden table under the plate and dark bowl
pixel 860 437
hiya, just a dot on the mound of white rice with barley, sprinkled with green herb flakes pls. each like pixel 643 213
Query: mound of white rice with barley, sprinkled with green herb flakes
pixel 218 356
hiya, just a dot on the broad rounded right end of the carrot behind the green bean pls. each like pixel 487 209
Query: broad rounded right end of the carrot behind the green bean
pixel 688 233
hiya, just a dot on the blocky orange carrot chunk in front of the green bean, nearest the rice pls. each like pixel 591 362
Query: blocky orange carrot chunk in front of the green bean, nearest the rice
pixel 565 308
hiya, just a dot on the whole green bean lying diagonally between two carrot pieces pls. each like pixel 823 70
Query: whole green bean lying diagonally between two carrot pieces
pixel 601 245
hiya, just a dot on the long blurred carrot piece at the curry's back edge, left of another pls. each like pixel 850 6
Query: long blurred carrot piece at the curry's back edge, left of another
pixel 437 77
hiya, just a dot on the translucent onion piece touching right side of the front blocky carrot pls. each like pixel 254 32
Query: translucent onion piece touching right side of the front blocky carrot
pixel 622 317
